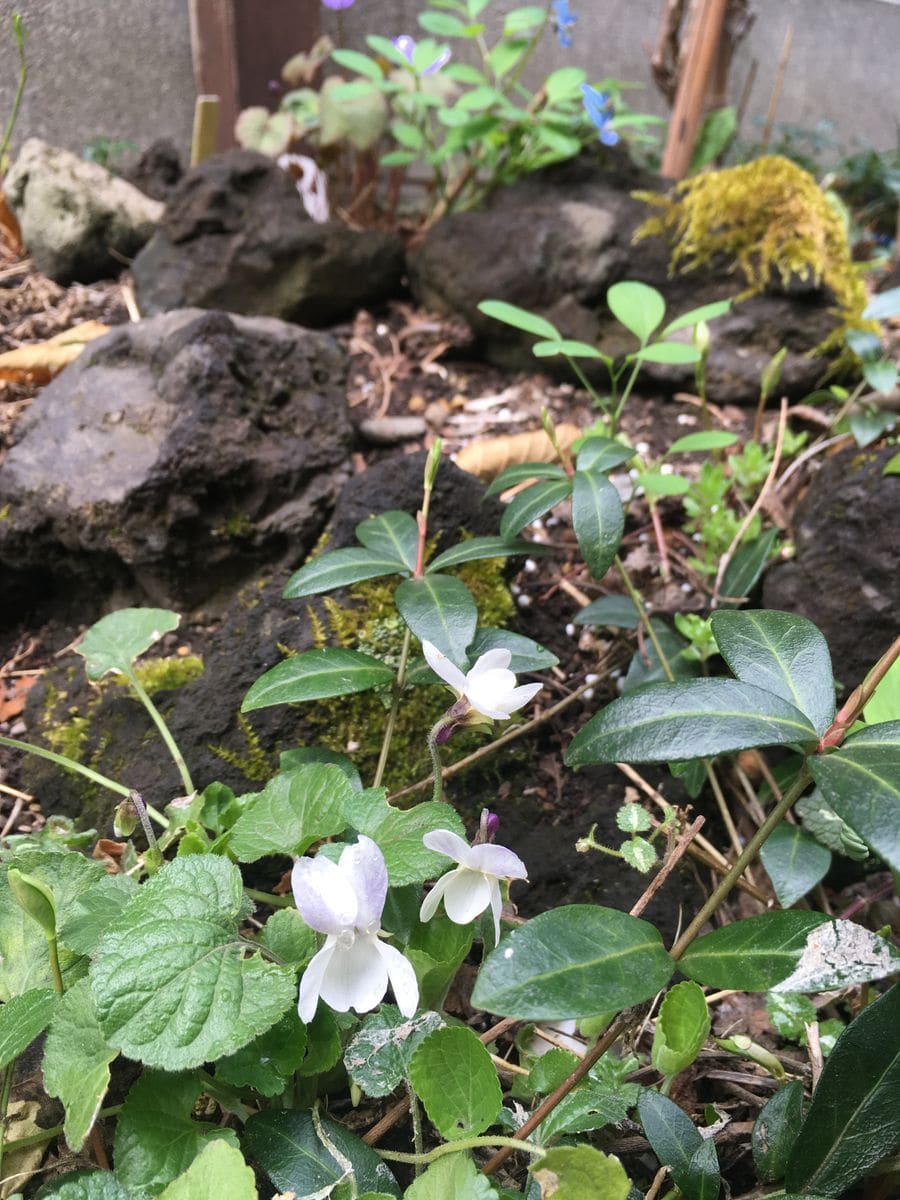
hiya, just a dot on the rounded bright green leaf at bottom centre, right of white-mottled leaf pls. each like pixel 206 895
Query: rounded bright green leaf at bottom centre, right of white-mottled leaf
pixel 457 1082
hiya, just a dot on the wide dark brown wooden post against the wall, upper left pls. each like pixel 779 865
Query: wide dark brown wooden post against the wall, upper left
pixel 239 46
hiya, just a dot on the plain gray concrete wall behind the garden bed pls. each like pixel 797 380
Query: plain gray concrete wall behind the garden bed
pixel 123 68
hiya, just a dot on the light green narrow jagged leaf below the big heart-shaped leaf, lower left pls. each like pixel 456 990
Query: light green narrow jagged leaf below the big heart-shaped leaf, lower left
pixel 76 1063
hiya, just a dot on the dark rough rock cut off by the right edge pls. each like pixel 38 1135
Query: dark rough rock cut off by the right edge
pixel 847 572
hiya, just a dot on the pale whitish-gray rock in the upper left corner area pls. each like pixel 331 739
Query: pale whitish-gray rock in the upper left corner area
pixel 79 221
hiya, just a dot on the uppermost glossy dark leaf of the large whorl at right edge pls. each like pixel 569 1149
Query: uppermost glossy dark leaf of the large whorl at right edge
pixel 782 653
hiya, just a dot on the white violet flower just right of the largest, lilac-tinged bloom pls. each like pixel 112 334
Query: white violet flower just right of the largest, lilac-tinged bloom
pixel 476 884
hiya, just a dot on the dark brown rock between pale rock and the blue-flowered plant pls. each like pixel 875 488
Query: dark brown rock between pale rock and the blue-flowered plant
pixel 237 237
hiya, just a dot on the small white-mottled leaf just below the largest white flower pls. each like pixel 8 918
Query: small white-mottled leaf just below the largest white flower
pixel 377 1059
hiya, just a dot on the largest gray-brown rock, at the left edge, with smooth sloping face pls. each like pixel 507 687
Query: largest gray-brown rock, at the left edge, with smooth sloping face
pixel 176 457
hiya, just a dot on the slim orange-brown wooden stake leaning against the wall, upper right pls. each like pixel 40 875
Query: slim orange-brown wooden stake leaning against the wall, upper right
pixel 699 59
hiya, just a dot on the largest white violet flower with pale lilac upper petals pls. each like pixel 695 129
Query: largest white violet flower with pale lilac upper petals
pixel 345 901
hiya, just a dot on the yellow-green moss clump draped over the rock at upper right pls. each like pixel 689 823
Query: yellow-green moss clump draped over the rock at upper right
pixel 770 217
